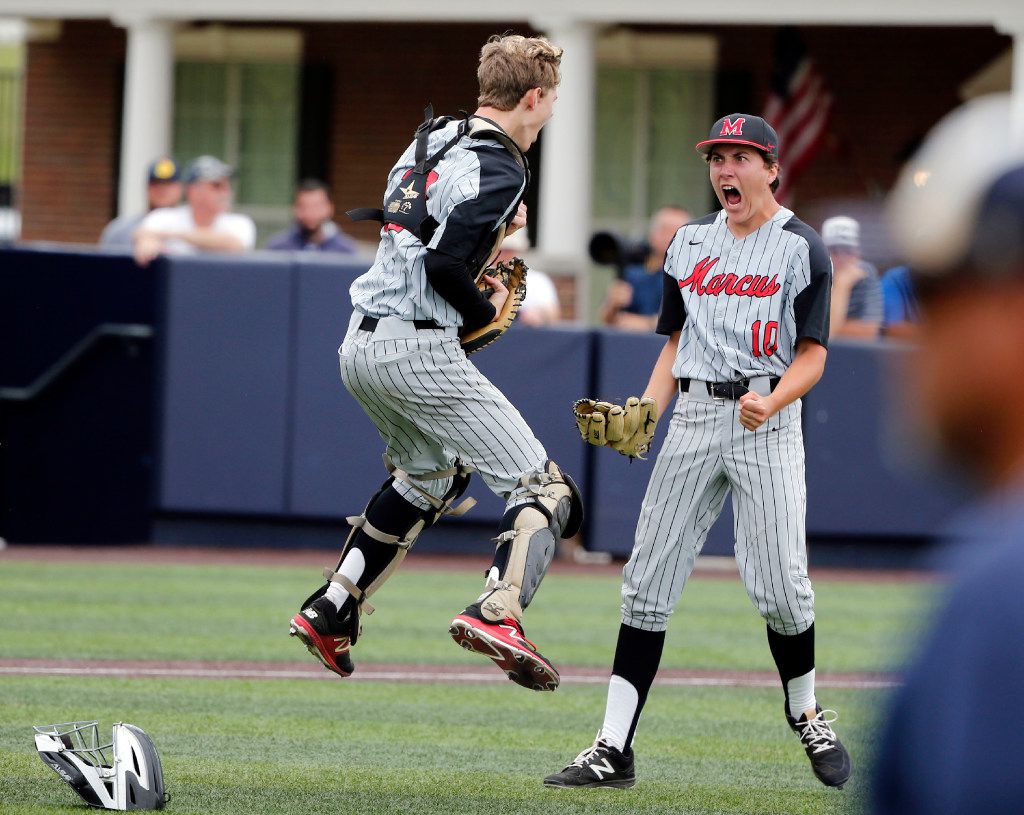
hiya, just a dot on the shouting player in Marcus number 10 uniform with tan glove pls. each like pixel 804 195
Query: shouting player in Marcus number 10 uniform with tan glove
pixel 746 312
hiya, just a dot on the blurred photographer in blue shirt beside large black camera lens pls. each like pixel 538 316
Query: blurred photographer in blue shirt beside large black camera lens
pixel 634 302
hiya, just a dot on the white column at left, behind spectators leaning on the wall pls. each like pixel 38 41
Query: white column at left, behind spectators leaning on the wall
pixel 146 132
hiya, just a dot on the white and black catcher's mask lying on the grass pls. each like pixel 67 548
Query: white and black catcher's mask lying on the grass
pixel 122 775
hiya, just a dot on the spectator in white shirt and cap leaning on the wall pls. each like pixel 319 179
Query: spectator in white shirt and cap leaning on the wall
pixel 204 224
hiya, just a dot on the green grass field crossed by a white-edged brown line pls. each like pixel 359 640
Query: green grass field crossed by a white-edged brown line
pixel 302 747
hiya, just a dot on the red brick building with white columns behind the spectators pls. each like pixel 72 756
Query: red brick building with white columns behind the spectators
pixel 350 95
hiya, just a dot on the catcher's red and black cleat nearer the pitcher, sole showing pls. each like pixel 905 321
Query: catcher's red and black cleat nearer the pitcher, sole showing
pixel 505 645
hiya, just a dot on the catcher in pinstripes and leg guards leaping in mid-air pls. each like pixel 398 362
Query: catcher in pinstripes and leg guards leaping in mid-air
pixel 451 199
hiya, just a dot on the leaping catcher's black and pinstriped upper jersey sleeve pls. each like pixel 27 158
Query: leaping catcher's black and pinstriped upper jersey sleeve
pixel 479 203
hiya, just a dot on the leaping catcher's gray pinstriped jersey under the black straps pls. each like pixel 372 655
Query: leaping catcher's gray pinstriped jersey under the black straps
pixel 397 285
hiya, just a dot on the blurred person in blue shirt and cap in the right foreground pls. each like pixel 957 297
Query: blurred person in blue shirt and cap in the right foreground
pixel 955 733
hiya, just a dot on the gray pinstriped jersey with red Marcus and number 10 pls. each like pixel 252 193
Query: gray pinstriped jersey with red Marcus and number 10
pixel 745 303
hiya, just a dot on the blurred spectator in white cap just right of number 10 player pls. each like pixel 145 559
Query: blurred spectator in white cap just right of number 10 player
pixel 857 305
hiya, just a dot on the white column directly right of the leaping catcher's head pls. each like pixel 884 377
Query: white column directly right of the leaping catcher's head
pixel 567 163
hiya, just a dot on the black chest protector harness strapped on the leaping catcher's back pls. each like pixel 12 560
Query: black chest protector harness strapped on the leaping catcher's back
pixel 406 208
